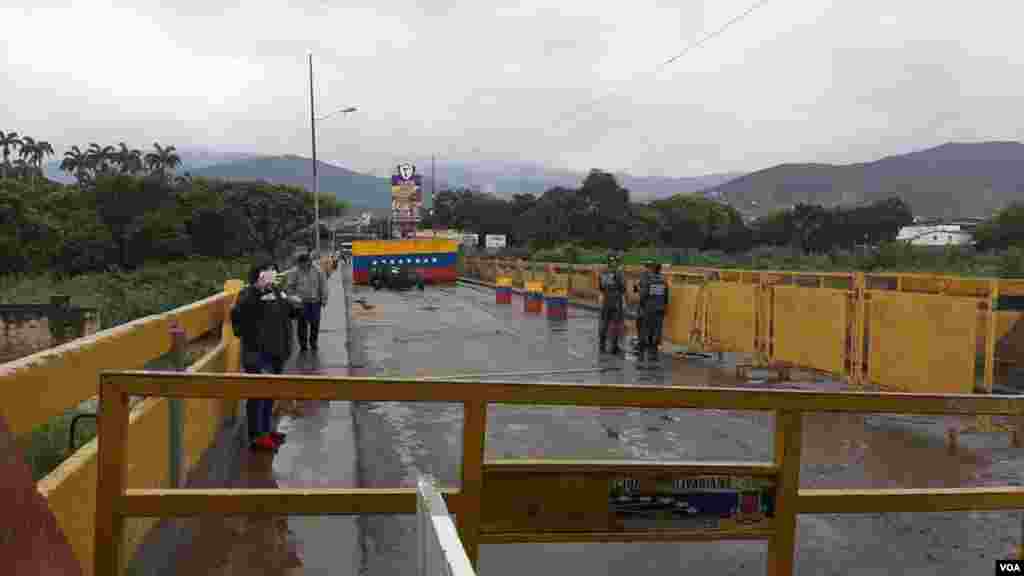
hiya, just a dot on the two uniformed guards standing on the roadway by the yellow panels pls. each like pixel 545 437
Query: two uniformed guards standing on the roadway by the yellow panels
pixel 654 302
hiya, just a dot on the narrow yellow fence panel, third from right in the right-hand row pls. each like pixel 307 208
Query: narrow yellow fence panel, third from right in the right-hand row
pixel 733 317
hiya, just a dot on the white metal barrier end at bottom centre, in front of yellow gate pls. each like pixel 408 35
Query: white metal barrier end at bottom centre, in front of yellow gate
pixel 441 551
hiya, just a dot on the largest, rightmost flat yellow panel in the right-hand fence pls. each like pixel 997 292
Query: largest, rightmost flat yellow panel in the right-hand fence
pixel 922 343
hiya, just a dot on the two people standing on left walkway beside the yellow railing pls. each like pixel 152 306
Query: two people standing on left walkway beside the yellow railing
pixel 263 318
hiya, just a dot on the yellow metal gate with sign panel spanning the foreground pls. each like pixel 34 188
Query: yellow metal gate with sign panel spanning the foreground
pixel 492 506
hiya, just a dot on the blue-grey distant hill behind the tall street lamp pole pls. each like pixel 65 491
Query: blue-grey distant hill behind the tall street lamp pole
pixel 362 191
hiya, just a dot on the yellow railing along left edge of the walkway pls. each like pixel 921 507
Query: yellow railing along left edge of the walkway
pixel 48 384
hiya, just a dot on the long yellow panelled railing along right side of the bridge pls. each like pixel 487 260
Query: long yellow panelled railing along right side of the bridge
pixel 909 333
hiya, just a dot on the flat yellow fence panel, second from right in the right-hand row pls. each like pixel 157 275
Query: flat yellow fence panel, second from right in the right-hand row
pixel 810 327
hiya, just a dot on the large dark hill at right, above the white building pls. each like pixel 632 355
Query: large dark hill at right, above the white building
pixel 950 181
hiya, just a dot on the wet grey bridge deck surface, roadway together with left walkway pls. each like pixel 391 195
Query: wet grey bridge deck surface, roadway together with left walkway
pixel 458 331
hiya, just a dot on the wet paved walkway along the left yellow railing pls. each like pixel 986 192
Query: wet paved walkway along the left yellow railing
pixel 320 452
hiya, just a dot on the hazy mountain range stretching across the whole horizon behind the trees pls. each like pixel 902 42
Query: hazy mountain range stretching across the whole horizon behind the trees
pixel 956 180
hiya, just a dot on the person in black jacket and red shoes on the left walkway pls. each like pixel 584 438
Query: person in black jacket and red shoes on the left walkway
pixel 263 319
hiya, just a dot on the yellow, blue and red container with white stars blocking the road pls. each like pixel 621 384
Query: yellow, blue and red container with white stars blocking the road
pixel 434 259
